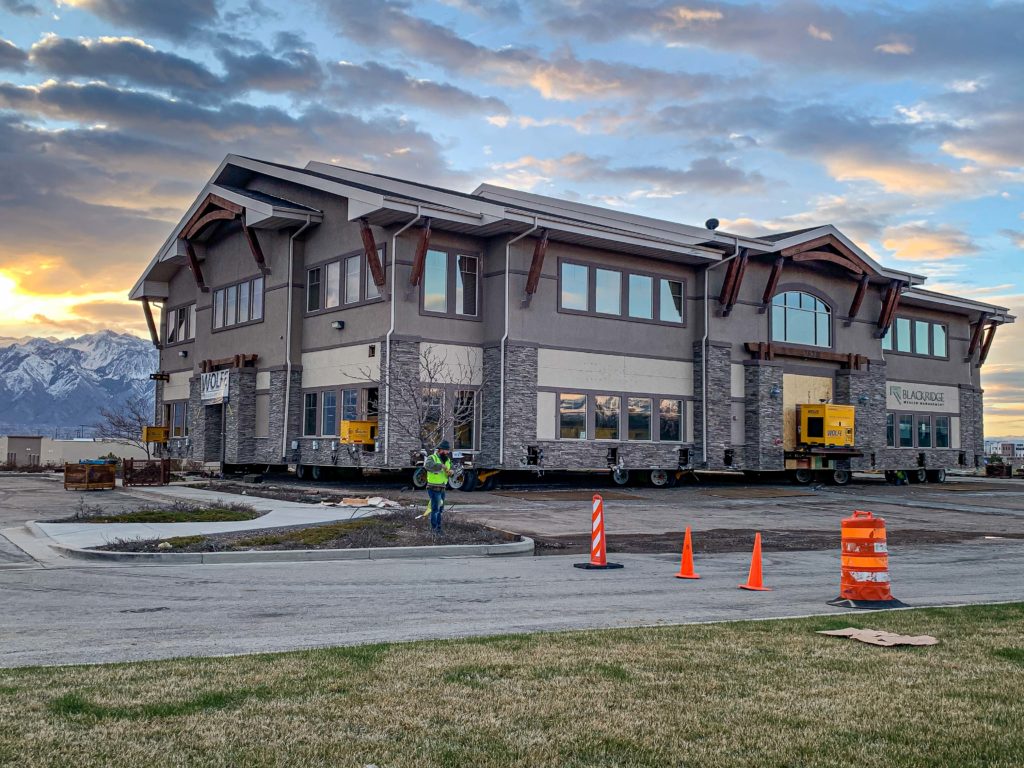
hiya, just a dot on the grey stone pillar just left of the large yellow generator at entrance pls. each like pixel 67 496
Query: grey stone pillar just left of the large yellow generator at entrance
pixel 763 423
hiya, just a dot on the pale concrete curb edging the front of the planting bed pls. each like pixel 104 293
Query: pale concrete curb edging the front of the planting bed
pixel 515 549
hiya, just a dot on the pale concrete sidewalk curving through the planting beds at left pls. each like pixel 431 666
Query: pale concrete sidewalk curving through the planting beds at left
pixel 280 515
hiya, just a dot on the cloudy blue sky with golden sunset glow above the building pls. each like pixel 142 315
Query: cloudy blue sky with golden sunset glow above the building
pixel 899 122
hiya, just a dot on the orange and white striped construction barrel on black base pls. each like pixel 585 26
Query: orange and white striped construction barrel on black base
pixel 865 554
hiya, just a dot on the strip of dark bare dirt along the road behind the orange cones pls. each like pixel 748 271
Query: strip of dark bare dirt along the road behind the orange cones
pixel 740 540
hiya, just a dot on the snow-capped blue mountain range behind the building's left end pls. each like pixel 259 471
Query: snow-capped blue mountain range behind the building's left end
pixel 50 386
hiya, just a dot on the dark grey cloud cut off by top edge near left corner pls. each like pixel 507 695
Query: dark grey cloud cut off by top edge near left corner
pixel 176 20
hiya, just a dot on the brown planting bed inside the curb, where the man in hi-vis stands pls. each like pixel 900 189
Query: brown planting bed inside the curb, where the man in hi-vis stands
pixel 400 529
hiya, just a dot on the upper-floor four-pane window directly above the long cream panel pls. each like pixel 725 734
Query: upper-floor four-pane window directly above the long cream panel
pixel 602 291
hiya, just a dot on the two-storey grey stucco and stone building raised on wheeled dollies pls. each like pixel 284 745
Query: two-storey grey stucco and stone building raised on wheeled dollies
pixel 327 318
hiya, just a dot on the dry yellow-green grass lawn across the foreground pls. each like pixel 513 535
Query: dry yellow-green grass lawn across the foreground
pixel 761 694
